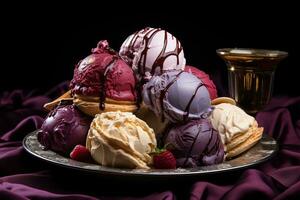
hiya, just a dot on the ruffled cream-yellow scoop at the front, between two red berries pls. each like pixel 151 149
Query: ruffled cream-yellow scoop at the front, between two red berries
pixel 120 139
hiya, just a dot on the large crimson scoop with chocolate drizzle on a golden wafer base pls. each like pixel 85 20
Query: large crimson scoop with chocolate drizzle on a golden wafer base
pixel 103 82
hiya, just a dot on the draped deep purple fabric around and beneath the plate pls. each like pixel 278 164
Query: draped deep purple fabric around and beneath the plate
pixel 25 177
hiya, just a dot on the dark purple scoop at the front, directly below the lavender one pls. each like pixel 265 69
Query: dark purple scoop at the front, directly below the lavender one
pixel 195 143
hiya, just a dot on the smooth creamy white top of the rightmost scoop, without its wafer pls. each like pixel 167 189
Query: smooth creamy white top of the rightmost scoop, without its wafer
pixel 230 120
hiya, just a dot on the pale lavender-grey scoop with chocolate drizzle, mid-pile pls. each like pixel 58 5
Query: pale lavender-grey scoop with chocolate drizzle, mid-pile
pixel 178 96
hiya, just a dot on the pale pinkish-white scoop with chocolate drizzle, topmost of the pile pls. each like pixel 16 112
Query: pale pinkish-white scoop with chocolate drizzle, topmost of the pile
pixel 151 51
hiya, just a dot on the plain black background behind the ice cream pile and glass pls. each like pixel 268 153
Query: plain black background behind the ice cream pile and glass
pixel 39 49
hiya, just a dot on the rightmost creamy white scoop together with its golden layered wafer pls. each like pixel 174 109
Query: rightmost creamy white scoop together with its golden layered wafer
pixel 238 130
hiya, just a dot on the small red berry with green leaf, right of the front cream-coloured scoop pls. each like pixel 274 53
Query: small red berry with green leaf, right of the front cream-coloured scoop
pixel 164 159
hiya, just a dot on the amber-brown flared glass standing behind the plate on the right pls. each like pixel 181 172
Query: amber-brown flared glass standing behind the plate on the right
pixel 251 75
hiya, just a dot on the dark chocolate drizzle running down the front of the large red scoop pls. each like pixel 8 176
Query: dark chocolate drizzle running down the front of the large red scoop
pixel 102 87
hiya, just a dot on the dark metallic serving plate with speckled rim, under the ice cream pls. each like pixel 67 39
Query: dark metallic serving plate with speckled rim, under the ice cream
pixel 261 152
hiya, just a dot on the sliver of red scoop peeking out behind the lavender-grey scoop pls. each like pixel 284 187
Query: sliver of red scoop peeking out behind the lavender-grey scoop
pixel 209 84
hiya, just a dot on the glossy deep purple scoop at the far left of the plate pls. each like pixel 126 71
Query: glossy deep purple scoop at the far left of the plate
pixel 64 128
